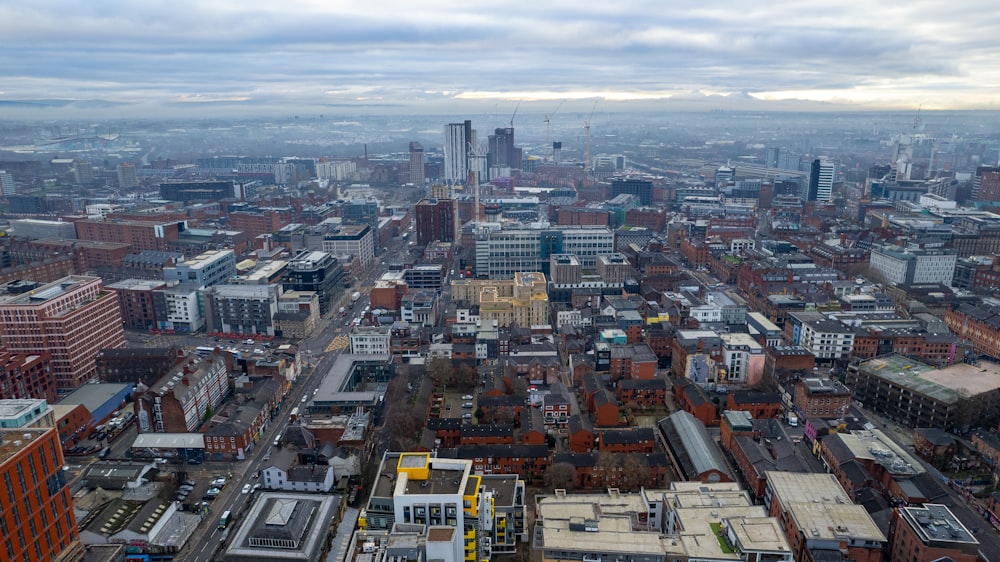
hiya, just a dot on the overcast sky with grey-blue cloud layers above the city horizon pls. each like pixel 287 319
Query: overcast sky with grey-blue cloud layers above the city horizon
pixel 426 54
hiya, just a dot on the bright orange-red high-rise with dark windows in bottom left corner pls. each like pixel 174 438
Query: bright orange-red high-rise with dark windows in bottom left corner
pixel 39 523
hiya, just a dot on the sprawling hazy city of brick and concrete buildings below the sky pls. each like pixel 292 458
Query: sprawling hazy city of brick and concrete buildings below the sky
pixel 559 331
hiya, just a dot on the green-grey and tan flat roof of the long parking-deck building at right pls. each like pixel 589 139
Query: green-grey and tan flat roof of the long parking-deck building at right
pixel 943 385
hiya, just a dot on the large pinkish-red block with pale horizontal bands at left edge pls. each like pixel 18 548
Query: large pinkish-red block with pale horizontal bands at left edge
pixel 72 319
